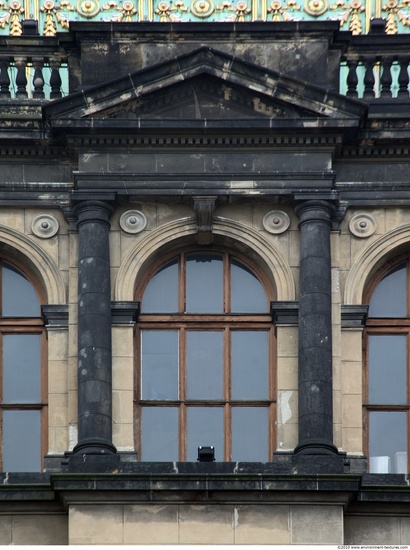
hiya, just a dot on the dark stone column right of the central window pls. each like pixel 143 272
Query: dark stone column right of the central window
pixel 315 330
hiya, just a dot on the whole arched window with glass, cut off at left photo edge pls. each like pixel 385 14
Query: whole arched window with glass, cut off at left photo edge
pixel 23 392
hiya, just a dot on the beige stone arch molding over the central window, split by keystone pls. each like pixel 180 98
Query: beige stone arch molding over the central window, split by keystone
pixel 226 232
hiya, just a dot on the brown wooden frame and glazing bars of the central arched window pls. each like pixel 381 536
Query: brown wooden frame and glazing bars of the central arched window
pixel 225 322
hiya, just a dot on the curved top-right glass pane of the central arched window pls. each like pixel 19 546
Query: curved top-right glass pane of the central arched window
pixel 247 293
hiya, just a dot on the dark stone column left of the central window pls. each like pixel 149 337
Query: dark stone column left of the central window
pixel 94 329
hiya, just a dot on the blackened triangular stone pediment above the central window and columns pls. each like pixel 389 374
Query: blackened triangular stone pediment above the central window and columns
pixel 203 85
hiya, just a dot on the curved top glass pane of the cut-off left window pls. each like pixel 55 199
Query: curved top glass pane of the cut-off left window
pixel 19 298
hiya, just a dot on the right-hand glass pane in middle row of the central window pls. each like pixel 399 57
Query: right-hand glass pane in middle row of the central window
pixel 249 365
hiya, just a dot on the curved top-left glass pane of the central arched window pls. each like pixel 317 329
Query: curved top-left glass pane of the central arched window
pixel 161 294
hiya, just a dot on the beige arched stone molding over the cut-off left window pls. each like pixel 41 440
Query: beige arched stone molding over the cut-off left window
pixel 21 247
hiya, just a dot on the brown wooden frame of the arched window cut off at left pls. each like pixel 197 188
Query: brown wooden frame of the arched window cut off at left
pixel 26 325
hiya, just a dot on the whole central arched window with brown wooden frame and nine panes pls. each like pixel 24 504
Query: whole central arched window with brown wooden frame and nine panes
pixel 205 361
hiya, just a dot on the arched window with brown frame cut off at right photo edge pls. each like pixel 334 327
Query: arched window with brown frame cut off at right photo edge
pixel 387 382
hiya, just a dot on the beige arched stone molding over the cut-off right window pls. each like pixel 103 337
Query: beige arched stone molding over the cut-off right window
pixel 372 258
